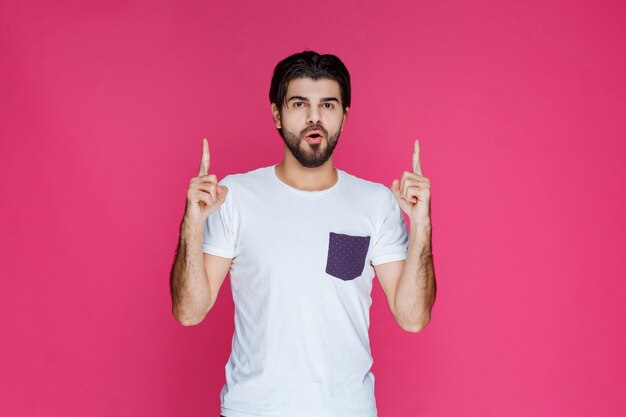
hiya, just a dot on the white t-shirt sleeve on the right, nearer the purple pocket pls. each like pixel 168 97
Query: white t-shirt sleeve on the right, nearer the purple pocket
pixel 392 241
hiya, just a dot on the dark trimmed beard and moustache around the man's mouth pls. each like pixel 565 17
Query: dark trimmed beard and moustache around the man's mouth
pixel 310 155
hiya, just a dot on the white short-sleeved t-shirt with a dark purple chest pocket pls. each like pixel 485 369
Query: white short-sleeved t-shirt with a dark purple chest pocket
pixel 301 278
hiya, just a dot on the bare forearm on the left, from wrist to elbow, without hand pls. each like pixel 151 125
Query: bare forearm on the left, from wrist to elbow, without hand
pixel 189 283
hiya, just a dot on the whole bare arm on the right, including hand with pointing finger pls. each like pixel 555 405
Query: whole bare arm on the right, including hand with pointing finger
pixel 410 285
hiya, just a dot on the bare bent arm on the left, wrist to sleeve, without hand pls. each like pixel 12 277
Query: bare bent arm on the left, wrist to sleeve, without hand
pixel 196 277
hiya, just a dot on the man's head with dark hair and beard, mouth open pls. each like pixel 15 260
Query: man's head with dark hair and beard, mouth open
pixel 310 93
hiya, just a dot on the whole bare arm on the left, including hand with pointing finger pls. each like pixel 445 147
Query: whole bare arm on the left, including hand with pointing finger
pixel 196 277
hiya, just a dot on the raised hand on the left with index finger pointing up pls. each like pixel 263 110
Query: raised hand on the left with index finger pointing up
pixel 204 196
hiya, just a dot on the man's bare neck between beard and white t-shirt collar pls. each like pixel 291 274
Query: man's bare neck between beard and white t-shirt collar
pixel 292 173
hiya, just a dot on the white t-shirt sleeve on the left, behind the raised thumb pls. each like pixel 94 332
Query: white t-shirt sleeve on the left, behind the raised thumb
pixel 219 235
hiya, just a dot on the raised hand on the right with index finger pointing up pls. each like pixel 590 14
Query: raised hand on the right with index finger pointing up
pixel 412 191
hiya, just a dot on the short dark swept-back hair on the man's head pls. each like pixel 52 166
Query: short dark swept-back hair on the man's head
pixel 309 64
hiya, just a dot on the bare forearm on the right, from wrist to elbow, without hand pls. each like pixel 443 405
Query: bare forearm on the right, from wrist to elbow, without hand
pixel 417 287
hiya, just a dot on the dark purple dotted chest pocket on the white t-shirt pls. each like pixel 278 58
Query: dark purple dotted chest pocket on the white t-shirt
pixel 346 255
